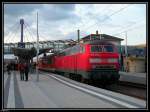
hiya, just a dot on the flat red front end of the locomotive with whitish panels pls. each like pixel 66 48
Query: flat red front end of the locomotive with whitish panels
pixel 103 63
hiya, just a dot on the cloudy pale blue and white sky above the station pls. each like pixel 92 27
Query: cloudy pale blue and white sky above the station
pixel 61 21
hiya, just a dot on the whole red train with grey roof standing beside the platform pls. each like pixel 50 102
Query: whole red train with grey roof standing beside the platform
pixel 95 60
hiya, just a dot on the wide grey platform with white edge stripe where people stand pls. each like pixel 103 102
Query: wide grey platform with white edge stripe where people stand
pixel 53 91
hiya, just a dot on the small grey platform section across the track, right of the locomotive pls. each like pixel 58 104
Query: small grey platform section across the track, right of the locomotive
pixel 138 78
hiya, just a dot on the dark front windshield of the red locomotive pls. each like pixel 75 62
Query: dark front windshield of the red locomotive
pixel 102 48
